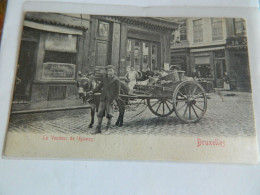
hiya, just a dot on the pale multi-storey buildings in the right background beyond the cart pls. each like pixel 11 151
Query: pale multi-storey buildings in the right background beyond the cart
pixel 211 47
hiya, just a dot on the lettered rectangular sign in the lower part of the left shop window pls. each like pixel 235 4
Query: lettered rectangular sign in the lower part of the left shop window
pixel 58 71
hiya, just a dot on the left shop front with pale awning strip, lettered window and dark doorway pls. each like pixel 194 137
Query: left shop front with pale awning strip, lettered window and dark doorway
pixel 50 57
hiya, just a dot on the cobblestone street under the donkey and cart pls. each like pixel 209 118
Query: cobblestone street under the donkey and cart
pixel 225 116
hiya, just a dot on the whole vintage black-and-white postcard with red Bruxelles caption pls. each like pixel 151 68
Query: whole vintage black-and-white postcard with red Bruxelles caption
pixel 135 88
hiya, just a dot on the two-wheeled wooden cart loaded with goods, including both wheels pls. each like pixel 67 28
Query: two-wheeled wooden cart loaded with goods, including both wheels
pixel 172 93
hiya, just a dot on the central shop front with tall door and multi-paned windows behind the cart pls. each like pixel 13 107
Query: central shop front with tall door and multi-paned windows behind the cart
pixel 142 43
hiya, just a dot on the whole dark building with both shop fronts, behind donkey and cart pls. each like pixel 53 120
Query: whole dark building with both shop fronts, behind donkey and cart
pixel 55 47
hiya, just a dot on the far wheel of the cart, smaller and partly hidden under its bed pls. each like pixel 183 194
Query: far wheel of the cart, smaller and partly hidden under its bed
pixel 161 107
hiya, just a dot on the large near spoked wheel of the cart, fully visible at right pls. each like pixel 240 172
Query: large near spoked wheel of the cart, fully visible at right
pixel 190 101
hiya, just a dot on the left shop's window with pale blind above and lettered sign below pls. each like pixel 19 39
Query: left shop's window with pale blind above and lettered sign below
pixel 60 58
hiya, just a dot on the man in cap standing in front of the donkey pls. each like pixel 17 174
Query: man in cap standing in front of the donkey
pixel 110 91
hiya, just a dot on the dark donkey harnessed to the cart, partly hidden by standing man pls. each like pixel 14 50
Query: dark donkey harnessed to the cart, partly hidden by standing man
pixel 86 84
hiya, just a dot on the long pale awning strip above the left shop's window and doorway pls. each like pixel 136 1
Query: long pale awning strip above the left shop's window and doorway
pixel 51 28
